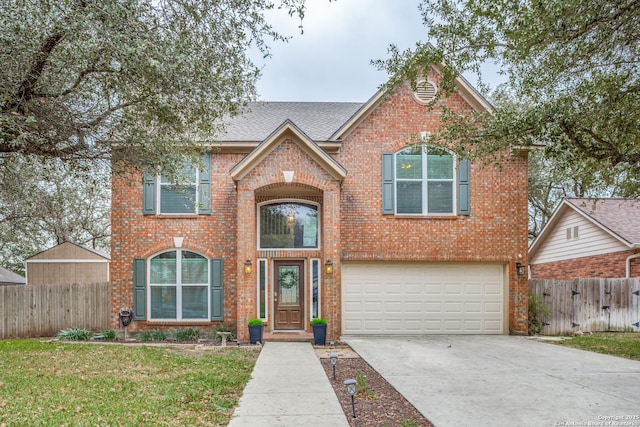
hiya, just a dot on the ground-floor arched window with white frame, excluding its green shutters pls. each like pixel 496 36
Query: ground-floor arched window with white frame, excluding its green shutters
pixel 179 286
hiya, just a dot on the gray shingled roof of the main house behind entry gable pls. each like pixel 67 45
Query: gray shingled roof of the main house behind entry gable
pixel 318 120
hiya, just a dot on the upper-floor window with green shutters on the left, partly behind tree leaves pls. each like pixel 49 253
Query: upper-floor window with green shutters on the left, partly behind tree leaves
pixel 187 193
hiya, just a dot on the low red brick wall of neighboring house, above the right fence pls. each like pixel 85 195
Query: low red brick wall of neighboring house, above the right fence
pixel 611 265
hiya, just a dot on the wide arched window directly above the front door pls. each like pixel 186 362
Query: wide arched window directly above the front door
pixel 288 225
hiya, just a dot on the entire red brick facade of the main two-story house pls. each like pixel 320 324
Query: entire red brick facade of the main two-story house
pixel 352 225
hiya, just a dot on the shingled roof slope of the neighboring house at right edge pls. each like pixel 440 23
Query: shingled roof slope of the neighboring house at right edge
pixel 620 216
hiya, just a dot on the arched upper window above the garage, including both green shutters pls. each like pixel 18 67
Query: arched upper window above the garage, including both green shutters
pixel 424 180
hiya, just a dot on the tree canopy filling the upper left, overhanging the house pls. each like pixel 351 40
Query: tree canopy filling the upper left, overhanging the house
pixel 136 81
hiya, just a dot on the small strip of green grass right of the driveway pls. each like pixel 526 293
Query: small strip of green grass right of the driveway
pixel 625 345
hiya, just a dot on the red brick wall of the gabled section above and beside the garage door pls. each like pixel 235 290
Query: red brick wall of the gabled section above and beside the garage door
pixel 496 230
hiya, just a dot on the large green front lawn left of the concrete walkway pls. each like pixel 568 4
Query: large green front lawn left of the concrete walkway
pixel 84 384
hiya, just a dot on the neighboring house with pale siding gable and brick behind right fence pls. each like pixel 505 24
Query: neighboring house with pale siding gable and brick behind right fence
pixel 588 238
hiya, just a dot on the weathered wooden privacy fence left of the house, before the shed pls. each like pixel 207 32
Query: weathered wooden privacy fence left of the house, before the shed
pixel 44 310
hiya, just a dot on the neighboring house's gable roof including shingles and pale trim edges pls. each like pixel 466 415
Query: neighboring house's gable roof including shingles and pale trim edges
pixel 617 218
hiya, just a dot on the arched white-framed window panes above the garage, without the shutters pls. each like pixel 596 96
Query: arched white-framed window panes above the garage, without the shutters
pixel 425 183
